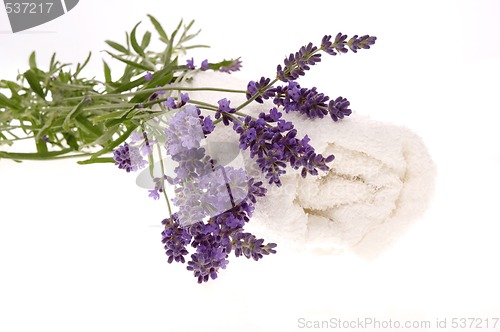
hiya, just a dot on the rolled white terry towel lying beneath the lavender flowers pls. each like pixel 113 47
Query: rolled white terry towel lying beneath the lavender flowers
pixel 380 182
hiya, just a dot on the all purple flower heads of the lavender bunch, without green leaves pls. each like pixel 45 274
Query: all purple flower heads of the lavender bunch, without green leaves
pixel 215 202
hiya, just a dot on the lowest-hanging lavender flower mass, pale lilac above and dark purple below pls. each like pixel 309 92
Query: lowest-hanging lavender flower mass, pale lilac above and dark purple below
pixel 214 202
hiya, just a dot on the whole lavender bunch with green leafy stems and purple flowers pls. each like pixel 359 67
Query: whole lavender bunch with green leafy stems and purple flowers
pixel 145 119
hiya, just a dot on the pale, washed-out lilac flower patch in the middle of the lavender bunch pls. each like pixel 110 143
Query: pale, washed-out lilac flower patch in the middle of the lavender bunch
pixel 203 188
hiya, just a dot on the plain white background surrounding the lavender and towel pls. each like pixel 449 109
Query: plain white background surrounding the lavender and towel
pixel 80 245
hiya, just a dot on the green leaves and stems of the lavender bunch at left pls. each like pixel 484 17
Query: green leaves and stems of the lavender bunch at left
pixel 68 115
